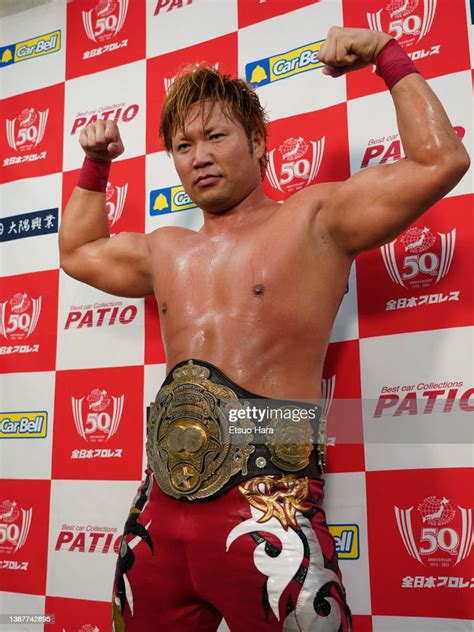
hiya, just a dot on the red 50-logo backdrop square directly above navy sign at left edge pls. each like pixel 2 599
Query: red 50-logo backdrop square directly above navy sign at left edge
pixel 31 133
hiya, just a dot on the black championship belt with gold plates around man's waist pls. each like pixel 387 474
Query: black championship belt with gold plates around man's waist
pixel 194 452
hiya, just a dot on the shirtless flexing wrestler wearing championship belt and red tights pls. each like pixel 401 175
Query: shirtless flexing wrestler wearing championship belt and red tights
pixel 222 529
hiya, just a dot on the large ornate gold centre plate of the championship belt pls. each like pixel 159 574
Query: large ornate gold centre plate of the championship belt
pixel 188 444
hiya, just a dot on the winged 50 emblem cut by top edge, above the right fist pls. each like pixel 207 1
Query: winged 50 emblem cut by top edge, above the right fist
pixel 403 21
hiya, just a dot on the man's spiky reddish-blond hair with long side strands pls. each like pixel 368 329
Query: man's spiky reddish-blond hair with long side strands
pixel 200 83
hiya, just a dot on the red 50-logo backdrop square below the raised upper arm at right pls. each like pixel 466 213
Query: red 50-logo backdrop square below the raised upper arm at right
pixel 420 280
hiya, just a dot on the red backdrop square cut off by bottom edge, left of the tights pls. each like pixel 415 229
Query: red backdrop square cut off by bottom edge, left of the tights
pixel 78 614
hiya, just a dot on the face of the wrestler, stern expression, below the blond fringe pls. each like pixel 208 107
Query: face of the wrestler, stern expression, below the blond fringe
pixel 215 161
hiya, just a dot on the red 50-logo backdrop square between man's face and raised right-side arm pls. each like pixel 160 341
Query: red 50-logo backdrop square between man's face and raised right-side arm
pixel 305 150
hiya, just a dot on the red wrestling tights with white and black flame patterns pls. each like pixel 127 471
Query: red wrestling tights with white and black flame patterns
pixel 258 557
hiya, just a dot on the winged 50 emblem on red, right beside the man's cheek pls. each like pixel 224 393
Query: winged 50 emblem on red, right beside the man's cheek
pixel 296 165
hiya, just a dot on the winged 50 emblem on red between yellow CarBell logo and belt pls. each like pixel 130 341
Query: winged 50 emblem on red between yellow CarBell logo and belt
pixel 102 415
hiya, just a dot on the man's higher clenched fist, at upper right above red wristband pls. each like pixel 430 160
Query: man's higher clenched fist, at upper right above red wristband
pixel 346 50
